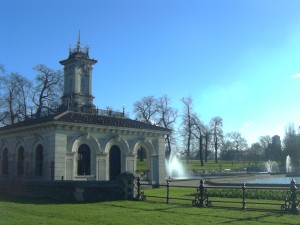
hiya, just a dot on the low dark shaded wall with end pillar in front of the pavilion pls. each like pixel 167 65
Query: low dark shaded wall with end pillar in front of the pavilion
pixel 84 191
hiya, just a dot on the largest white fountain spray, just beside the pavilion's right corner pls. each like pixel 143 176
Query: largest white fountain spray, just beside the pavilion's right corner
pixel 174 167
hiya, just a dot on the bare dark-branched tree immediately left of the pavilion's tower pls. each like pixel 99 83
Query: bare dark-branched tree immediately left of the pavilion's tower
pixel 47 90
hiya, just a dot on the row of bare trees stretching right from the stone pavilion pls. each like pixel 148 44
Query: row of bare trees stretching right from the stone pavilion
pixel 194 139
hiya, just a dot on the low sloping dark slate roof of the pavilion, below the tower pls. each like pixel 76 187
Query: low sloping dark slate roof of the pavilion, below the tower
pixel 85 118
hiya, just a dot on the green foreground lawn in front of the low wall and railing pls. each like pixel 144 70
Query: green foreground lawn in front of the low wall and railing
pixel 23 211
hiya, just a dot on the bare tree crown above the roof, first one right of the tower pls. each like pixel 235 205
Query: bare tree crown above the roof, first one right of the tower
pixel 146 110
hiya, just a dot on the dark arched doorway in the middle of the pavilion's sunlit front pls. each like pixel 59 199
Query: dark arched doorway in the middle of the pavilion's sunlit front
pixel 114 162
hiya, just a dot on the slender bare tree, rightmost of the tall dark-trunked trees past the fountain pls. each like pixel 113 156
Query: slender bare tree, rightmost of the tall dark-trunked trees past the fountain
pixel 216 125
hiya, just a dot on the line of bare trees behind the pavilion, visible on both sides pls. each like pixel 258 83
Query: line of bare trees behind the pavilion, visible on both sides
pixel 21 98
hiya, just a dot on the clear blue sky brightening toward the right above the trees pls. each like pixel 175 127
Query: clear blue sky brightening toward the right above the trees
pixel 237 59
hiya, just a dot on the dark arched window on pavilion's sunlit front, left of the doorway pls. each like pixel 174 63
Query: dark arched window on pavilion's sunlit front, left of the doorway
pixel 84 160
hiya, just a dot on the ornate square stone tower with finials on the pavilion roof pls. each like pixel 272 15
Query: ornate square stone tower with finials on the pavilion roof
pixel 78 68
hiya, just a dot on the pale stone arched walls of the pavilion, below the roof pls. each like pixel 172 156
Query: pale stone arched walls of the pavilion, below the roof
pixel 61 141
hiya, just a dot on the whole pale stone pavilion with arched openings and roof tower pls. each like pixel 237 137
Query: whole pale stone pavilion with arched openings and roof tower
pixel 80 142
